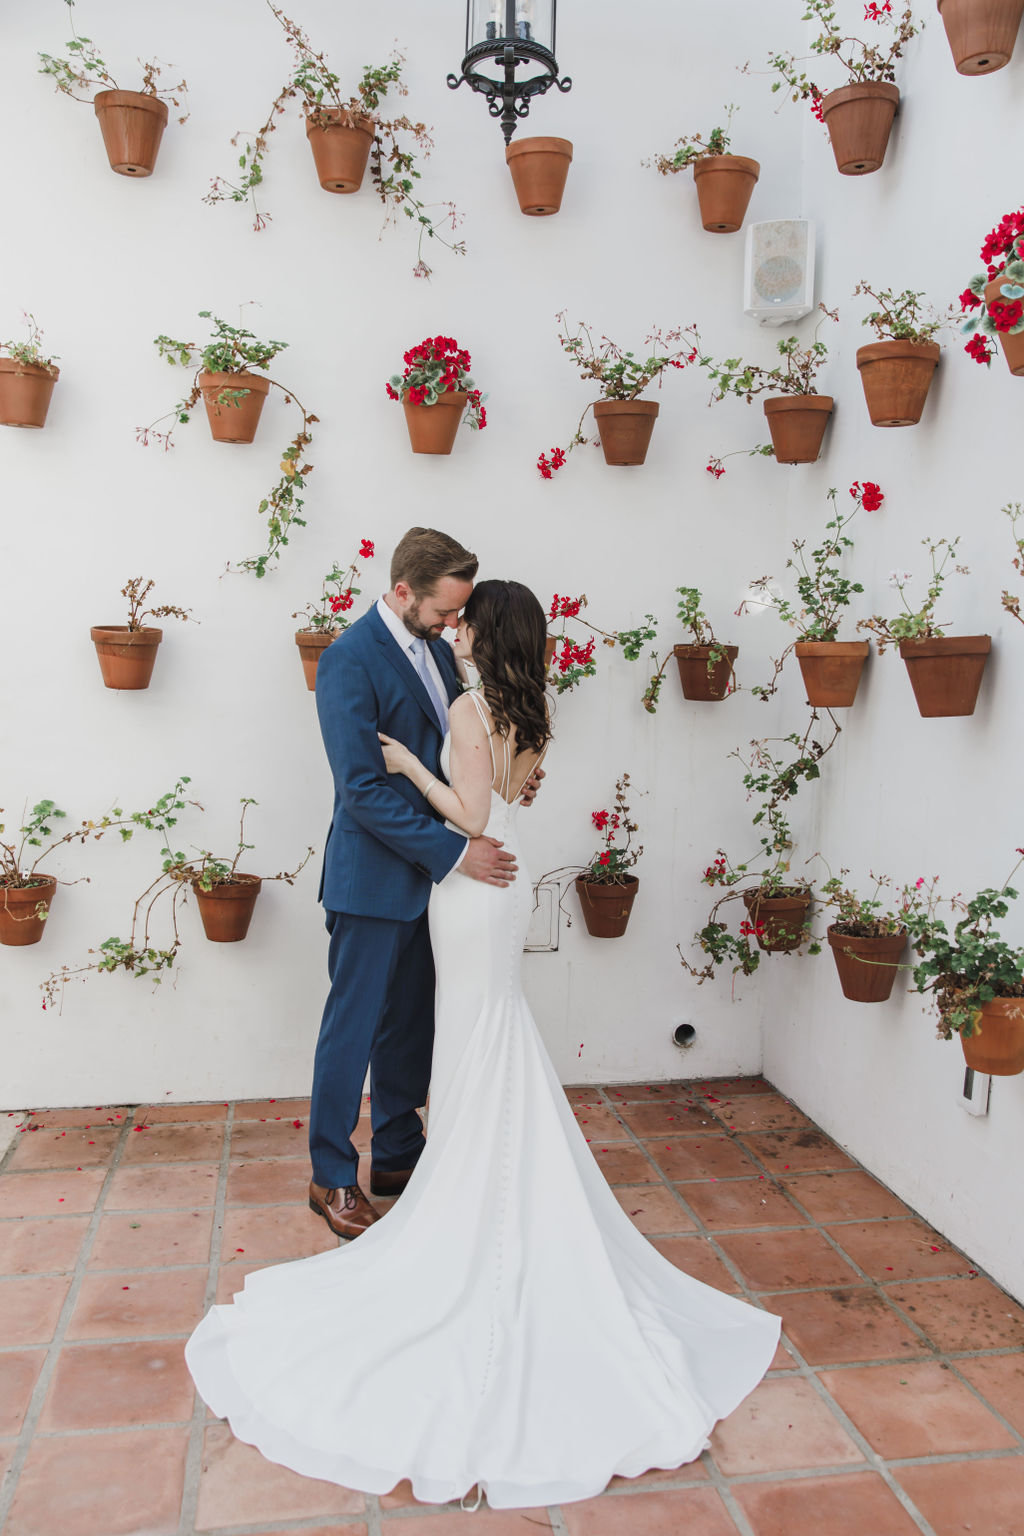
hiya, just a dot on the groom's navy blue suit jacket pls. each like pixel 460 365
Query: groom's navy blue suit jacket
pixel 386 847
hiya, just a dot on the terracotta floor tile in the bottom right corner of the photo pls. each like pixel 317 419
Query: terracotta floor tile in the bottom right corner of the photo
pixel 957 1497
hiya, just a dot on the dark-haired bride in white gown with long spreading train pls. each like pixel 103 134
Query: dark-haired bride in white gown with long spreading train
pixel 504 1325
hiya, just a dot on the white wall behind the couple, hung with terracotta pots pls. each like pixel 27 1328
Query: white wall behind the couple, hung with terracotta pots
pixel 107 265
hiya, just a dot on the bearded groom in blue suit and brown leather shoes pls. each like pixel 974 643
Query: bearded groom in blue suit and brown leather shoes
pixel 389 672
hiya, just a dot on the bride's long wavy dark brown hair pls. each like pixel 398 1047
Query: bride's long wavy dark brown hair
pixel 509 638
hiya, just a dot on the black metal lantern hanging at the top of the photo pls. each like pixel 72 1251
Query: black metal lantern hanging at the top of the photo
pixel 510 56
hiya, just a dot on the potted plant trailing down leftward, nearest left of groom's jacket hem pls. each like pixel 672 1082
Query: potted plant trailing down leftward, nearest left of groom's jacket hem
pixel 226 899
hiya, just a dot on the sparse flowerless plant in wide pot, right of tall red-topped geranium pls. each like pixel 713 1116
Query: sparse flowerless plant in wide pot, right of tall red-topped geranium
pixel 945 670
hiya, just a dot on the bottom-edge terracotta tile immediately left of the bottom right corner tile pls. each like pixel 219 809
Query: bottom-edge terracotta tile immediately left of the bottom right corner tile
pixel 851 1505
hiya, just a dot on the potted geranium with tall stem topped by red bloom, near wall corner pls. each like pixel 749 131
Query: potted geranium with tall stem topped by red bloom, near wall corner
pixel 831 667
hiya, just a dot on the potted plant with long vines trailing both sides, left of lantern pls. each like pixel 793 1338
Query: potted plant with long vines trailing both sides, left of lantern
pixel 346 134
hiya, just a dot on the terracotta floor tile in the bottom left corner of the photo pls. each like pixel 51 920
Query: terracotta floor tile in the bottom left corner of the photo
pixel 81 1486
